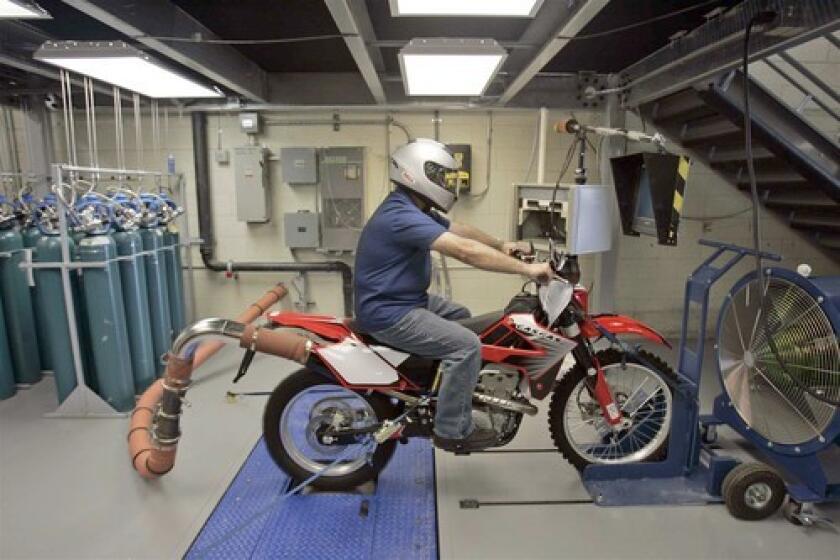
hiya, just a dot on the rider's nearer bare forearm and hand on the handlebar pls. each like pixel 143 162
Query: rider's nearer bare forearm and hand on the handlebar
pixel 481 256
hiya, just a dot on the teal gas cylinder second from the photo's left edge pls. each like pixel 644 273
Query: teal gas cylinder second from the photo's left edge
pixel 17 304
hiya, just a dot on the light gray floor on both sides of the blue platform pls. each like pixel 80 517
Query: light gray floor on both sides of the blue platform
pixel 67 490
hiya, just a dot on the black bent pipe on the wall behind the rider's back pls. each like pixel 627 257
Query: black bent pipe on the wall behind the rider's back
pixel 207 232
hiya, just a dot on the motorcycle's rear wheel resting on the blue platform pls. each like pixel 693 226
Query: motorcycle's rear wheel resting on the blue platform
pixel 298 412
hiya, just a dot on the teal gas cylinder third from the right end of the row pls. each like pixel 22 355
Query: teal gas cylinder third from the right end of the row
pixel 136 299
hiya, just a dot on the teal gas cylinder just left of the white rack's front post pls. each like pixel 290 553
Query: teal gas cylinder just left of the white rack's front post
pixel 56 330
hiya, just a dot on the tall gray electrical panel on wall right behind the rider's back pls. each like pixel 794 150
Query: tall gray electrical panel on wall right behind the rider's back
pixel 341 197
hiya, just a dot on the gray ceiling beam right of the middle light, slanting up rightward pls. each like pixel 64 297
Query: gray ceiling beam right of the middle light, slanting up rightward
pixel 572 24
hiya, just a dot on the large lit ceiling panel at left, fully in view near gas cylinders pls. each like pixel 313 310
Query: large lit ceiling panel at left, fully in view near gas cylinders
pixel 121 65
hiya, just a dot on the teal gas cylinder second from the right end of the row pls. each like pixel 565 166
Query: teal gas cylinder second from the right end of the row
pixel 158 286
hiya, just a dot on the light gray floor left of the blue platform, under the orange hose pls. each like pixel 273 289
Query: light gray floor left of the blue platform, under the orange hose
pixel 67 489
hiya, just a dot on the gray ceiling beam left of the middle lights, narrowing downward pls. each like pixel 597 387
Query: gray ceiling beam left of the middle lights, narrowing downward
pixel 354 22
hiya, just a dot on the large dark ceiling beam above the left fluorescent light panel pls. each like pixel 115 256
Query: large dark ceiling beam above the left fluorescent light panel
pixel 143 21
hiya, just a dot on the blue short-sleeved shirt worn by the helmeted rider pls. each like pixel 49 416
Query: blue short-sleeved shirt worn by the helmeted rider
pixel 393 263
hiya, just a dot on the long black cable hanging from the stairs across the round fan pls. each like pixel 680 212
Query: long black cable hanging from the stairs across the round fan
pixel 765 306
